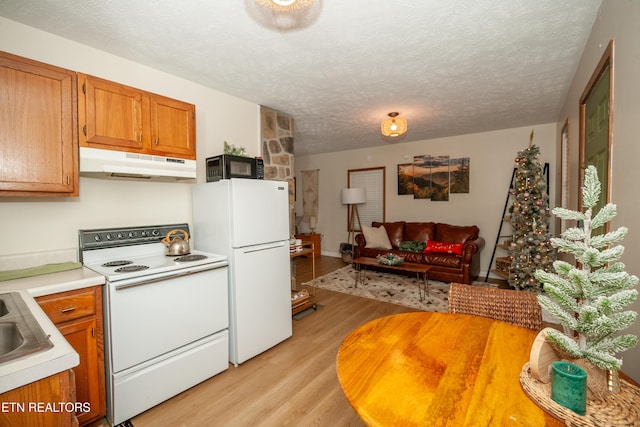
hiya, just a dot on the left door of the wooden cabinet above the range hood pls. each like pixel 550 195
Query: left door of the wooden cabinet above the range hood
pixel 112 116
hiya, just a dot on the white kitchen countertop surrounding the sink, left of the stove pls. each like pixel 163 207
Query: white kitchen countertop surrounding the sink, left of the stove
pixel 18 372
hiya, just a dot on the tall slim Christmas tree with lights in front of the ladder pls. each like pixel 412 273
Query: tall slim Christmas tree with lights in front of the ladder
pixel 530 248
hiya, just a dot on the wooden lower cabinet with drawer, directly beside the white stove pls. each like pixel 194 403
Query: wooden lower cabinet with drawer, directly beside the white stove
pixel 78 316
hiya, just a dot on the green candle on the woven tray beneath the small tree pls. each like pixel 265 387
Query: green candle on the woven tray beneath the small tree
pixel 569 386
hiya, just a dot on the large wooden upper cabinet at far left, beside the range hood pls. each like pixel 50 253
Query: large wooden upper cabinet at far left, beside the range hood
pixel 38 129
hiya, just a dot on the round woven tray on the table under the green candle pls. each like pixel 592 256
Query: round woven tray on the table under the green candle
pixel 616 410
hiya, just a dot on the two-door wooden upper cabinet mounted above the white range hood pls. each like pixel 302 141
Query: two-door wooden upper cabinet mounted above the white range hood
pixel 118 117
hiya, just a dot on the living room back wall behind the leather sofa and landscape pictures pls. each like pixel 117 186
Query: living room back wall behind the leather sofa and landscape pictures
pixel 492 157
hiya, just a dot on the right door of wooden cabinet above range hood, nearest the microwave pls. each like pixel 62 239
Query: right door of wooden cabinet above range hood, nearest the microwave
pixel 173 127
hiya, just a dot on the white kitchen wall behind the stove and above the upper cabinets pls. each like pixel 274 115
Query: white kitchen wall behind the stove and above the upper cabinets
pixel 44 224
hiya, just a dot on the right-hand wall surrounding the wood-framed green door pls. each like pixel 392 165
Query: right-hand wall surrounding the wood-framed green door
pixel 617 20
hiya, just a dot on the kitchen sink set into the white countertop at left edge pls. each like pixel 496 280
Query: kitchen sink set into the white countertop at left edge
pixel 20 333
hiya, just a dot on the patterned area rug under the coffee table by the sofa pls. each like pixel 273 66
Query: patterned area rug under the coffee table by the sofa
pixel 393 288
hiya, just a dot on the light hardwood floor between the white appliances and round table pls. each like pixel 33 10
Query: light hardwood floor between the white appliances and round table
pixel 292 384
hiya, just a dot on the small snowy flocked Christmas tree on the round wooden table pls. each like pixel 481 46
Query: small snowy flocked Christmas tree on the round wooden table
pixel 589 299
